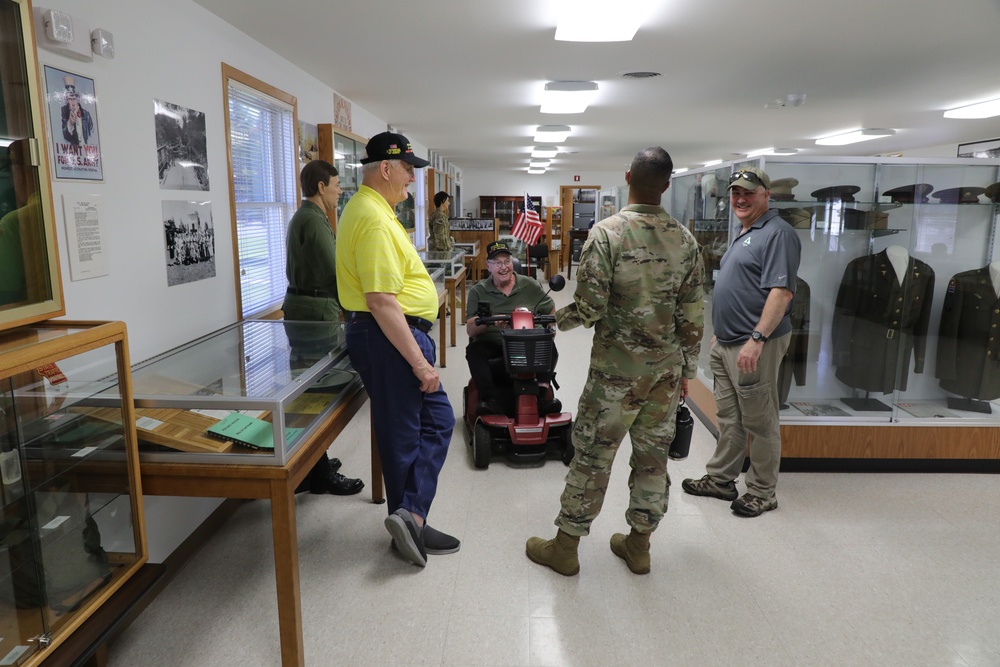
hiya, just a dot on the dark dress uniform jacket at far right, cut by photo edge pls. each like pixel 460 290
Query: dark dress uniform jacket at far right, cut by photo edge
pixel 968 355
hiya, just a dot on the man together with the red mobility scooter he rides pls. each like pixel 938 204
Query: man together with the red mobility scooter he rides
pixel 509 404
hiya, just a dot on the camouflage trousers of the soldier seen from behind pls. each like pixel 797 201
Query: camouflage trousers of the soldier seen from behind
pixel 612 406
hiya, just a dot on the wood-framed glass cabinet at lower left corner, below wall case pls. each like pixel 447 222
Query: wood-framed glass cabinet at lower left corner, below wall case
pixel 71 531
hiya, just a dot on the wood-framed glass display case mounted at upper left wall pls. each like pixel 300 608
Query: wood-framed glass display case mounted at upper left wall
pixel 30 284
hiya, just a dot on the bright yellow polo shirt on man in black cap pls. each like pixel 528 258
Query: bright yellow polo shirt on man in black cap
pixel 374 254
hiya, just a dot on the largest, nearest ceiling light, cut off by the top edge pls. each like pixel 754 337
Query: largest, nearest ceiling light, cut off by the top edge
pixel 600 20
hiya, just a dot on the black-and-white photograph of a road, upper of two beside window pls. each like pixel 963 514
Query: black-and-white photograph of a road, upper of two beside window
pixel 181 147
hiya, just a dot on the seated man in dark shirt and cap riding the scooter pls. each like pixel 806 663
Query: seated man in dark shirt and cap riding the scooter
pixel 504 291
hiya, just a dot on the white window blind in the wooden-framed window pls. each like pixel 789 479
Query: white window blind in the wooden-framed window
pixel 262 141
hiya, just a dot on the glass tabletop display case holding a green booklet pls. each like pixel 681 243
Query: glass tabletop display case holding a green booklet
pixel 250 393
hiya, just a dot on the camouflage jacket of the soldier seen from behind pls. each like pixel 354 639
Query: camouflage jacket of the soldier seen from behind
pixel 640 285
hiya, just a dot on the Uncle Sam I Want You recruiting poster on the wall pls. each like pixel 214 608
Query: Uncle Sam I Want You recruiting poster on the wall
pixel 71 103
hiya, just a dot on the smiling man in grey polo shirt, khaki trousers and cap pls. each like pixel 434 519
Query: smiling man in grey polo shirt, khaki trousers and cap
pixel 750 316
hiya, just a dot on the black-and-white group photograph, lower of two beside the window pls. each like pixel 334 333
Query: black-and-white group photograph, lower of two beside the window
pixel 189 241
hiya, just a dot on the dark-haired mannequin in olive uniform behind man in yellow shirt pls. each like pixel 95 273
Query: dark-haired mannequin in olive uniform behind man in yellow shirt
pixel 312 293
